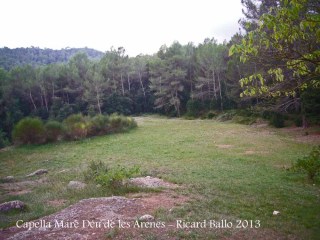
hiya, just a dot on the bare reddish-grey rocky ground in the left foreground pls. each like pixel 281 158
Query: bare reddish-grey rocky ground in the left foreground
pixel 98 218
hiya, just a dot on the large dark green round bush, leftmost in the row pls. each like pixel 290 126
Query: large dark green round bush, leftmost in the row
pixel 29 131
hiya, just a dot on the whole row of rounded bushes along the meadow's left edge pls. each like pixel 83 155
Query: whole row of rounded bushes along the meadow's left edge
pixel 76 126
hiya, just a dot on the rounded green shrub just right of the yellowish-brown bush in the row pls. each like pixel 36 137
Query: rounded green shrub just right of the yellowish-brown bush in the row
pixel 98 125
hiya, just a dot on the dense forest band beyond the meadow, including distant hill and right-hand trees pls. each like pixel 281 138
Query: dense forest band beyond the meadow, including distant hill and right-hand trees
pixel 276 60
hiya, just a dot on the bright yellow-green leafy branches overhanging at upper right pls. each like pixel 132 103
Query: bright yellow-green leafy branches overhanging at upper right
pixel 287 41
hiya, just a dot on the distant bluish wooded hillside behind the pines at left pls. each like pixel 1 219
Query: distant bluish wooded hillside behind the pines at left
pixel 37 56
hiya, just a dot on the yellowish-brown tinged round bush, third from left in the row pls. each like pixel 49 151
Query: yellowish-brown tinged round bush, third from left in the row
pixel 76 127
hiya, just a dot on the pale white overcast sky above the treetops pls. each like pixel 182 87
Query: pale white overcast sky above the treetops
pixel 140 26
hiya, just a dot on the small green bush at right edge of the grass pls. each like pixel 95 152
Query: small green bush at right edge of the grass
pixel 310 164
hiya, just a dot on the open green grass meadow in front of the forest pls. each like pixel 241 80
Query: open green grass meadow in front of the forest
pixel 230 171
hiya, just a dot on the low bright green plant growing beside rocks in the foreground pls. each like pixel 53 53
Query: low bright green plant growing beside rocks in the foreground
pixel 115 177
